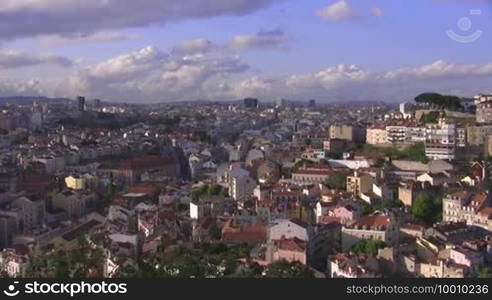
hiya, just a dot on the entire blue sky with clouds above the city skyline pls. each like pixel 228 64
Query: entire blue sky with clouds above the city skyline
pixel 173 50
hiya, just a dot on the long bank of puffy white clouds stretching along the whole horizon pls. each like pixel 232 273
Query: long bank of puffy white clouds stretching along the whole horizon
pixel 208 71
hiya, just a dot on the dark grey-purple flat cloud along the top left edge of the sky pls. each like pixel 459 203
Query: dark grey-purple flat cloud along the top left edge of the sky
pixel 66 17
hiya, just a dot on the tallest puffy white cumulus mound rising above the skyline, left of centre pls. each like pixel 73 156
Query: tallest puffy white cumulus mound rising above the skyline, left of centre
pixel 155 75
